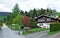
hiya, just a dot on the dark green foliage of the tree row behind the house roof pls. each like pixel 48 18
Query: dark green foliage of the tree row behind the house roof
pixel 34 13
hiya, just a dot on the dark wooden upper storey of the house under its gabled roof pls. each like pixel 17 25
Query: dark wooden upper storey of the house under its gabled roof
pixel 46 19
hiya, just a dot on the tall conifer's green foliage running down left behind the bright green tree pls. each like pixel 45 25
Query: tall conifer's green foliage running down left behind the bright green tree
pixel 13 14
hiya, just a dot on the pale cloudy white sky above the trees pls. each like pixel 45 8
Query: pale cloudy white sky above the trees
pixel 26 5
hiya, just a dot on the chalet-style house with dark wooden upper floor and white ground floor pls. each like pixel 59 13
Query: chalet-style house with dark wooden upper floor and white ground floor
pixel 45 21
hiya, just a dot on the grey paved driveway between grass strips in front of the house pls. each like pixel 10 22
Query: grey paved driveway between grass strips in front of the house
pixel 42 34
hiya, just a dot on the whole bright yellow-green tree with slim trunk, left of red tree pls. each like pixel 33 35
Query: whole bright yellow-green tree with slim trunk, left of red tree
pixel 18 20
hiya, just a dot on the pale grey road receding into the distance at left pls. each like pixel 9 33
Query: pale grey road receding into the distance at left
pixel 8 33
